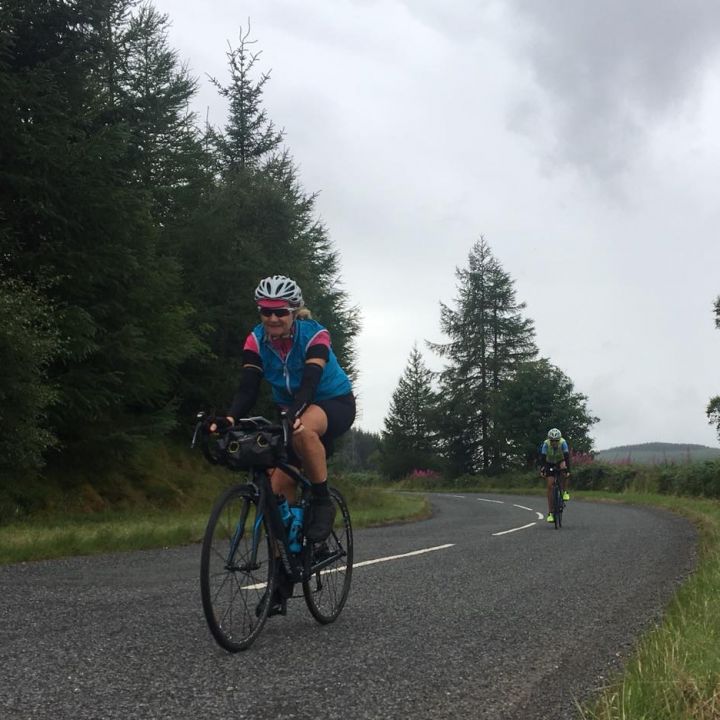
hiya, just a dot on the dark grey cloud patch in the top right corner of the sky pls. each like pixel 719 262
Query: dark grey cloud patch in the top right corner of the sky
pixel 611 69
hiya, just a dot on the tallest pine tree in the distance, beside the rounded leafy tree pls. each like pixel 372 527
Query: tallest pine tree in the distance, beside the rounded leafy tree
pixel 489 338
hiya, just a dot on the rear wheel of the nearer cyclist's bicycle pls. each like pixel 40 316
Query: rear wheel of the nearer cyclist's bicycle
pixel 326 590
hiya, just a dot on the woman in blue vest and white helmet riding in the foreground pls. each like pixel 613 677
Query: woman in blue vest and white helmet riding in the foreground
pixel 294 353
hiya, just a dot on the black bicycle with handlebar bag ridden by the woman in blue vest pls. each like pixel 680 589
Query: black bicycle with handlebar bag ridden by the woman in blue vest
pixel 250 534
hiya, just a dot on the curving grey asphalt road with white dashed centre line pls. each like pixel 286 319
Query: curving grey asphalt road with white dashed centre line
pixel 519 625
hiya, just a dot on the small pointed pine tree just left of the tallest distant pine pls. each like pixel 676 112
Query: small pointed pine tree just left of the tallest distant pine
pixel 408 438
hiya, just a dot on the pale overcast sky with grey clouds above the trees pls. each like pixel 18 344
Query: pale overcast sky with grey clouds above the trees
pixel 579 138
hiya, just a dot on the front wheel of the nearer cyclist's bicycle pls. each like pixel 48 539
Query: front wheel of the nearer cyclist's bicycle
pixel 236 590
